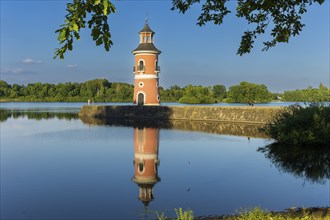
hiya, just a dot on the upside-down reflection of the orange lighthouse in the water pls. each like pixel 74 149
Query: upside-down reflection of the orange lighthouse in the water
pixel 146 162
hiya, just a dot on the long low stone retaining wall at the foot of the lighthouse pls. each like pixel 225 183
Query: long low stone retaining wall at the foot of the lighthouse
pixel 232 114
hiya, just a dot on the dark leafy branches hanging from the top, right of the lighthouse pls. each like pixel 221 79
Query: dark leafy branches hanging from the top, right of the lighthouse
pixel 283 15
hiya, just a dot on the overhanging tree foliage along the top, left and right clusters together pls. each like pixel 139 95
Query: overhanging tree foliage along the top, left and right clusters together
pixel 284 16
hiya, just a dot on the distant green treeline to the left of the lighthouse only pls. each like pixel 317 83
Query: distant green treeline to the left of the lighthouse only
pixel 99 90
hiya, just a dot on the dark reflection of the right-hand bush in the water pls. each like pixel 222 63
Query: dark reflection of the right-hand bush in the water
pixel 309 162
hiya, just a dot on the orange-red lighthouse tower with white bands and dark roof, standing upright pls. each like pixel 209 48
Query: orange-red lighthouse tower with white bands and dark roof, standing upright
pixel 146 69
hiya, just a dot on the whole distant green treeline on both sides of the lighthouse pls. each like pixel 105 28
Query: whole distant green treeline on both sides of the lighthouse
pixel 101 90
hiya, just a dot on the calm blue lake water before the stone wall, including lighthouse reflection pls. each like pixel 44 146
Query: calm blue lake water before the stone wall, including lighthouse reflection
pixel 55 166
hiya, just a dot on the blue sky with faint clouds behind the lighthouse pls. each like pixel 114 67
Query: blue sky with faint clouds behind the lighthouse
pixel 190 54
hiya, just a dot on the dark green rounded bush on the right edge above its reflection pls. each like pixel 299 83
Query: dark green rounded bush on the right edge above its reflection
pixel 303 126
